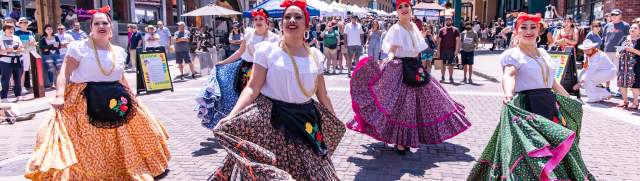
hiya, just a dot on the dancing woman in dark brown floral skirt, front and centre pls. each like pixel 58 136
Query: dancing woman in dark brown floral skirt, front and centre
pixel 276 131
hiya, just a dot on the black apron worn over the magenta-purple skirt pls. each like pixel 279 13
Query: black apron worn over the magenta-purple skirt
pixel 413 73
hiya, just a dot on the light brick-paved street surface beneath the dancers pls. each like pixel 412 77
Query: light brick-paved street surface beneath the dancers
pixel 608 142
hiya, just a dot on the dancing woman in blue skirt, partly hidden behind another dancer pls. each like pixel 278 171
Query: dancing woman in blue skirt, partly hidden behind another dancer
pixel 223 88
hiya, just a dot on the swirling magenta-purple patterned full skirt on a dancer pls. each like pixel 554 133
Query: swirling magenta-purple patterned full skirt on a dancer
pixel 392 112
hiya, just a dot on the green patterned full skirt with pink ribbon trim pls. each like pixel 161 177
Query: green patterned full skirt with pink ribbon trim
pixel 527 146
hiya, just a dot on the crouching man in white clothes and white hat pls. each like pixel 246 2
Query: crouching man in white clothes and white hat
pixel 599 70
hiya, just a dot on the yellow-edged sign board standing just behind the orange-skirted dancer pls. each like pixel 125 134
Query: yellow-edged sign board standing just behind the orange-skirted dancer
pixel 155 71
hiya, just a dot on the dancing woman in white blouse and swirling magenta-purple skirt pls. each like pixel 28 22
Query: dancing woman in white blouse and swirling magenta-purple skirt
pixel 399 103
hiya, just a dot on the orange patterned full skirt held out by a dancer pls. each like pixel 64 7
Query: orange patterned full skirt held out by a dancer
pixel 68 147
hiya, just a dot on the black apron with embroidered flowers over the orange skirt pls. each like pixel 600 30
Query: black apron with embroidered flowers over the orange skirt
pixel 108 104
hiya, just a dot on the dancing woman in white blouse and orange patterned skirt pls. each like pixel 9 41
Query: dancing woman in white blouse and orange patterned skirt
pixel 97 129
